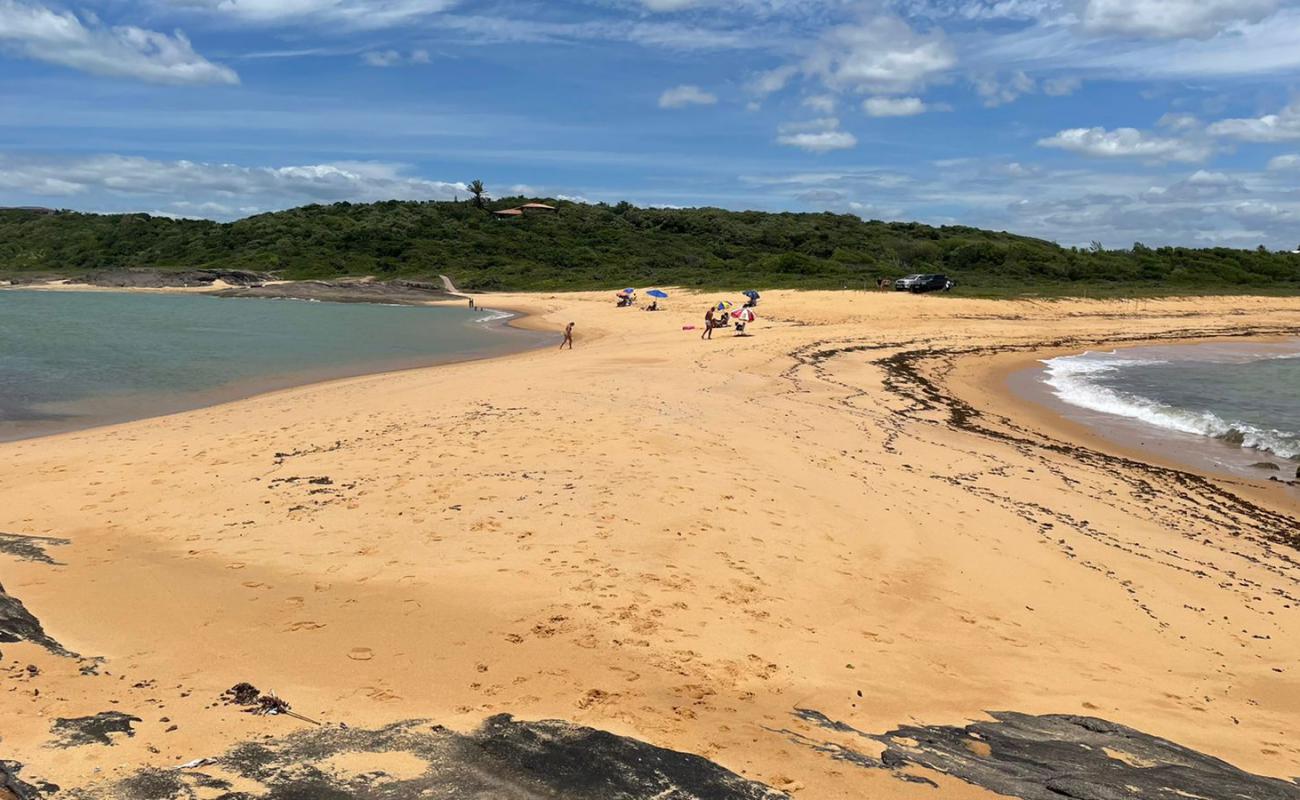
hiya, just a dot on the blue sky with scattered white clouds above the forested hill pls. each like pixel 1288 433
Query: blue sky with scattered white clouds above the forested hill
pixel 1162 122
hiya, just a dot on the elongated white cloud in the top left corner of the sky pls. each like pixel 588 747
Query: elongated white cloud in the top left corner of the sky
pixel 86 45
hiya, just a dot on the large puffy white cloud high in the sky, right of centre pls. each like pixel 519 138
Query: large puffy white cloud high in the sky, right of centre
pixel 882 55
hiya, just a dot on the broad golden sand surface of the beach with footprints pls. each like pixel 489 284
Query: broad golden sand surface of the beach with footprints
pixel 670 539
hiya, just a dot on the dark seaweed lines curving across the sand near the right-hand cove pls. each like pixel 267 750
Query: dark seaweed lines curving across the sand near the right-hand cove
pixel 1185 496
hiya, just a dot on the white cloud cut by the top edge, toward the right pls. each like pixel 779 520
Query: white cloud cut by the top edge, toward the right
pixel 1172 19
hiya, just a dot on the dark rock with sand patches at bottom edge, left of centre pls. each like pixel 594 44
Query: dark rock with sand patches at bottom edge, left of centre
pixel 505 760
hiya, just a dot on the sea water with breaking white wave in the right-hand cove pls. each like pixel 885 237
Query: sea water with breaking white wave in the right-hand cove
pixel 1242 401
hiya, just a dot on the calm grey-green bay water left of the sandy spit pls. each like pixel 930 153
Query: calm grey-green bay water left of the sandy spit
pixel 77 360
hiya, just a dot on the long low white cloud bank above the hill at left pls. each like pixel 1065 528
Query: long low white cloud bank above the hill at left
pixel 196 187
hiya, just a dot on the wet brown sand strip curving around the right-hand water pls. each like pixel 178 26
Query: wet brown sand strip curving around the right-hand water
pixel 989 383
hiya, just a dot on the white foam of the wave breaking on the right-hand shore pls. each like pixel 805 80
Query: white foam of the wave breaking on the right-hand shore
pixel 1074 380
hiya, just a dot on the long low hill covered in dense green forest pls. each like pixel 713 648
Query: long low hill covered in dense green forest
pixel 587 247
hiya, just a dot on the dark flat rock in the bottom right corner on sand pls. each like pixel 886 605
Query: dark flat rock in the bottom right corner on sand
pixel 1058 758
